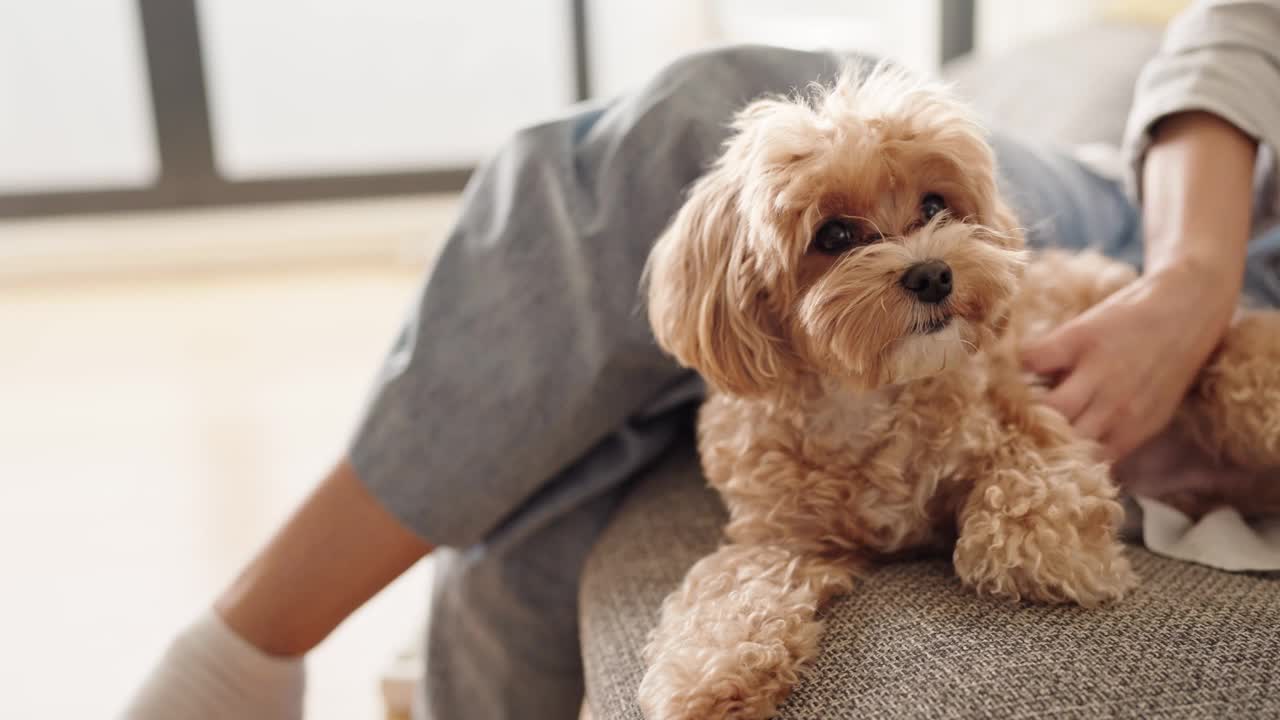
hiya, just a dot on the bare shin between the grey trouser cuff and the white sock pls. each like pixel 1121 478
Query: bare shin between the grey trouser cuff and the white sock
pixel 339 550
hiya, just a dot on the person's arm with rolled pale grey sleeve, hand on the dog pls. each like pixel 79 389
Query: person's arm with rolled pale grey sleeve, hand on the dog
pixel 1203 108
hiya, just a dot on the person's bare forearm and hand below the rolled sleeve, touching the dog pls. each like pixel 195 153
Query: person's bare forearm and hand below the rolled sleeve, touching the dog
pixel 1131 359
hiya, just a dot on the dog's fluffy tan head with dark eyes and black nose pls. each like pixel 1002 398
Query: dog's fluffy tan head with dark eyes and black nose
pixel 857 234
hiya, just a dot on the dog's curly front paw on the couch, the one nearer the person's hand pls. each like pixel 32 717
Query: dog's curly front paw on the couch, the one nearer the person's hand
pixel 1057 544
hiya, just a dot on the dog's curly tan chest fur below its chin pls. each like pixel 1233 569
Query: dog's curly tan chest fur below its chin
pixel 844 470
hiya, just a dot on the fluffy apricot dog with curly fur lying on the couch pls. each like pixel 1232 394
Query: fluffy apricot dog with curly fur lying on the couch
pixel 852 288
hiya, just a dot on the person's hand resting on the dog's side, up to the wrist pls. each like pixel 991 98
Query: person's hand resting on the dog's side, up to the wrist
pixel 1126 364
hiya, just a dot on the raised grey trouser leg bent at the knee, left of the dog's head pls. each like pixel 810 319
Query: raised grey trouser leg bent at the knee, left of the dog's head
pixel 528 345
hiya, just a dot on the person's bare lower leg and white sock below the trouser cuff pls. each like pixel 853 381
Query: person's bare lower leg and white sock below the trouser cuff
pixel 244 659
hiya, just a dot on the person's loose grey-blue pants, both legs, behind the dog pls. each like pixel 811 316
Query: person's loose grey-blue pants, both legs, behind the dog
pixel 527 390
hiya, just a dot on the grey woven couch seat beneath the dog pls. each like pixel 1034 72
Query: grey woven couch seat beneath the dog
pixel 912 642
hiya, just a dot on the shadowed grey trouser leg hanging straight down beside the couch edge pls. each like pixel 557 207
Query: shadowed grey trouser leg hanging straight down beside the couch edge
pixel 502 637
